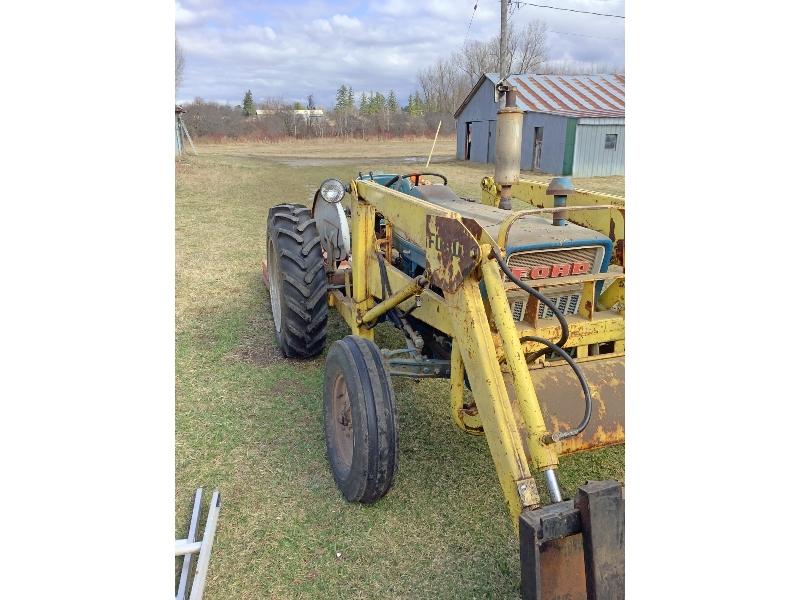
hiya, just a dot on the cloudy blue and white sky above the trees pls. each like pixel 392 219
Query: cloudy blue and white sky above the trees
pixel 289 49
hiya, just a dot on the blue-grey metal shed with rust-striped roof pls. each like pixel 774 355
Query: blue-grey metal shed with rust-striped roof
pixel 573 124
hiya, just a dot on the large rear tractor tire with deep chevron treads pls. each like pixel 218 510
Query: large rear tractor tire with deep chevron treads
pixel 298 285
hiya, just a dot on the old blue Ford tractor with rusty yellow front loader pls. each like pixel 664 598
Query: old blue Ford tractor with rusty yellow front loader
pixel 525 309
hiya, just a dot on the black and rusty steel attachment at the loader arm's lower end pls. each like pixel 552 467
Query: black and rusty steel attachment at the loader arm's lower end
pixel 576 548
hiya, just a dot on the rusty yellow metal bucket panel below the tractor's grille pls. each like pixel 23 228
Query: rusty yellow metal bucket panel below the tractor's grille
pixel 561 399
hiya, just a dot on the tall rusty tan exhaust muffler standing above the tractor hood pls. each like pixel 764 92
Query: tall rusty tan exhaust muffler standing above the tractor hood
pixel 508 145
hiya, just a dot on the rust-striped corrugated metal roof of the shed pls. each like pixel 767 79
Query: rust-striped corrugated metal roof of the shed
pixel 568 95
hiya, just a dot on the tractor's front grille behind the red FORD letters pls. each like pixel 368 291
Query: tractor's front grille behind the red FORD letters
pixel 569 298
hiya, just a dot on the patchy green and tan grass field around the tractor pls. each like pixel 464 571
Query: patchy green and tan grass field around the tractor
pixel 250 422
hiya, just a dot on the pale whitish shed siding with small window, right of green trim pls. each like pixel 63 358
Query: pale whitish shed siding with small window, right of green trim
pixel 591 157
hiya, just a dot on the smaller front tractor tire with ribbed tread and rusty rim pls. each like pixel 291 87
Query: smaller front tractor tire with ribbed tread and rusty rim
pixel 360 420
